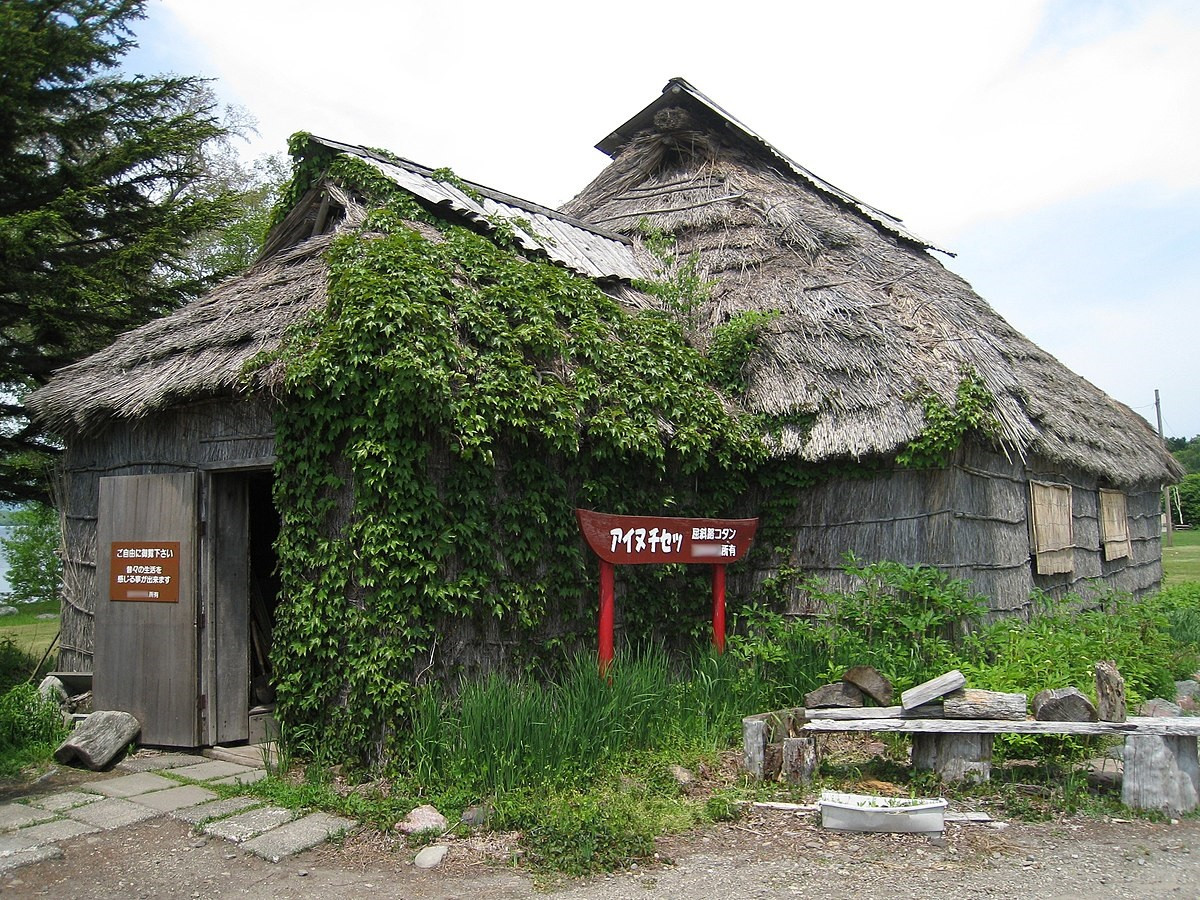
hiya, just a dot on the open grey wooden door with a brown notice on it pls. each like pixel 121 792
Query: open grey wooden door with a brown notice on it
pixel 147 623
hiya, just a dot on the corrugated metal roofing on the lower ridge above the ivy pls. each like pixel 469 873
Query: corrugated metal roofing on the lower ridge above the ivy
pixel 584 249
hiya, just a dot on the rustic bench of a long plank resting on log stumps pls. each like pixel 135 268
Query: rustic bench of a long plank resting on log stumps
pixel 1161 766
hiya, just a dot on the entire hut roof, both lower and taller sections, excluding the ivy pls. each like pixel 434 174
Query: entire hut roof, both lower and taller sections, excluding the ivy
pixel 869 323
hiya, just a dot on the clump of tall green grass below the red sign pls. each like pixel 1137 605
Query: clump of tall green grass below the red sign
pixel 500 734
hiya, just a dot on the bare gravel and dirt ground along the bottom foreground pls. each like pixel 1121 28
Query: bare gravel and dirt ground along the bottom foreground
pixel 763 856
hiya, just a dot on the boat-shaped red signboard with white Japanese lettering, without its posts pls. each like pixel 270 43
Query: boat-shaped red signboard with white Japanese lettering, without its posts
pixel 629 541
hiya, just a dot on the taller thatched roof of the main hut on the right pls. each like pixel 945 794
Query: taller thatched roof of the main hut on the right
pixel 869 322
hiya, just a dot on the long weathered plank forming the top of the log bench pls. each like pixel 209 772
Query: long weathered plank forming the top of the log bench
pixel 1189 727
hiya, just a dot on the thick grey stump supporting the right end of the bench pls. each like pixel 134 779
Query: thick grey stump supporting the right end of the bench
pixel 1161 773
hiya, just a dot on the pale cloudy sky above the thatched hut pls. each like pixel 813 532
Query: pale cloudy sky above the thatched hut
pixel 1053 145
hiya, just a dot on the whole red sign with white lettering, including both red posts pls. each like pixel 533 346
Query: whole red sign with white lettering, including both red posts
pixel 641 541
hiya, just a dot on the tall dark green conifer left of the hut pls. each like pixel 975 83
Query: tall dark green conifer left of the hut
pixel 105 184
